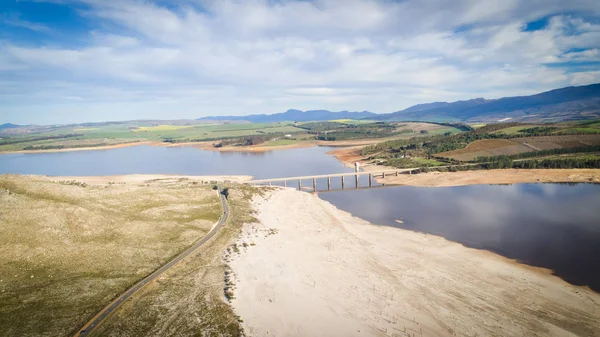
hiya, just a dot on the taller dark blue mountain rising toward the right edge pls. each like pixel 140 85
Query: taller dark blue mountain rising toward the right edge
pixel 569 103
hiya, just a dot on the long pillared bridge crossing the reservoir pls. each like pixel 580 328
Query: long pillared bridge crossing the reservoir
pixel 371 175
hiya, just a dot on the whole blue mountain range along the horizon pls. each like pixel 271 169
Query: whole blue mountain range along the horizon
pixel 570 103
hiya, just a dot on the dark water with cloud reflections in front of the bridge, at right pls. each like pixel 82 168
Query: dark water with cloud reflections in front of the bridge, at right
pixel 555 226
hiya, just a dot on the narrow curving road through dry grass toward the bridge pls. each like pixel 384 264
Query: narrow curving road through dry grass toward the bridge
pixel 104 313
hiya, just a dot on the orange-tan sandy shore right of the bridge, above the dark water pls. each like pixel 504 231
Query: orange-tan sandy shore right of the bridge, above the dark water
pixel 505 176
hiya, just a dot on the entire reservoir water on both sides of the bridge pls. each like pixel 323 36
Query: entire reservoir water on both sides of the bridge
pixel 555 226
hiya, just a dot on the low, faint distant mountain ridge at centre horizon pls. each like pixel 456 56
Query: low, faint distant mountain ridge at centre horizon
pixel 295 115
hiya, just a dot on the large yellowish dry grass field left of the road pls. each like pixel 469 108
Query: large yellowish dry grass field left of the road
pixel 68 248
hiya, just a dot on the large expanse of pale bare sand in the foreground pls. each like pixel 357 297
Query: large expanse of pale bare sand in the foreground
pixel 309 269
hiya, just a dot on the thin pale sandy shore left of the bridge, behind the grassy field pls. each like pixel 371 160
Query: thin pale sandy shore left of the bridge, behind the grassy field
pixel 143 178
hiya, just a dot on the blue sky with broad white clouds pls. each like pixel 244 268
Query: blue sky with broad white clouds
pixel 72 61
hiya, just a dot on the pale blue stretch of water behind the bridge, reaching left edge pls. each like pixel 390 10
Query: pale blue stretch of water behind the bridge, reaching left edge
pixel 174 160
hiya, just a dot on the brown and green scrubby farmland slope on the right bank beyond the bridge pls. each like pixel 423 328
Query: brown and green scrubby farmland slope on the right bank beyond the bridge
pixel 501 145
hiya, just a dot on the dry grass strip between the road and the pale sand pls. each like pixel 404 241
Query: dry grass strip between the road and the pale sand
pixel 189 299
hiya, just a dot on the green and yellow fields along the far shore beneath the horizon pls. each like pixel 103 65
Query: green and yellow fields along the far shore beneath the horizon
pixel 107 134
